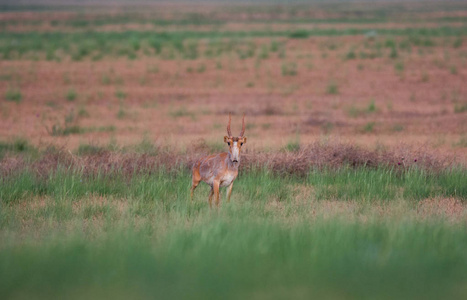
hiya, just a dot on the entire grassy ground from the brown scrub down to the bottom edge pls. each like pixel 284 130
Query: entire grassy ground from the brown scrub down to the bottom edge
pixel 80 236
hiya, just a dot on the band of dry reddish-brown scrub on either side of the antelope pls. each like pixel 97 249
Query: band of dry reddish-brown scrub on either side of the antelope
pixel 314 156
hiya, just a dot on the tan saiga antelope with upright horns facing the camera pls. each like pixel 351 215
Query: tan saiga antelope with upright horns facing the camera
pixel 220 170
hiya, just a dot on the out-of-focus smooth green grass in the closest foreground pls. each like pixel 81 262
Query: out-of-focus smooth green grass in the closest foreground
pixel 322 258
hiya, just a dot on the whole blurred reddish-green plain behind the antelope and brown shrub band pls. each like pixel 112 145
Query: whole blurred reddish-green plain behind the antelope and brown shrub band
pixel 123 74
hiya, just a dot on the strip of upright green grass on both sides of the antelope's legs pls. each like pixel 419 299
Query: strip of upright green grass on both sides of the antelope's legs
pixel 74 184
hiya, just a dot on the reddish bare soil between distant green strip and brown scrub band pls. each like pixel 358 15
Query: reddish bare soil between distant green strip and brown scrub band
pixel 178 101
